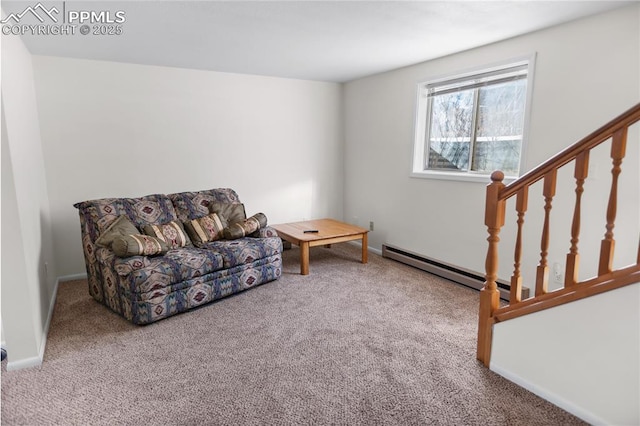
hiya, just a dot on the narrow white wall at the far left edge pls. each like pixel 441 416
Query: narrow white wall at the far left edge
pixel 28 288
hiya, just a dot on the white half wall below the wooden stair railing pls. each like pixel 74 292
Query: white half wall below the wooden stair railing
pixel 583 356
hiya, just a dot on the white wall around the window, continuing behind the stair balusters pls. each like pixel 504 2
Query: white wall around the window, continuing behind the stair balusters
pixel 587 72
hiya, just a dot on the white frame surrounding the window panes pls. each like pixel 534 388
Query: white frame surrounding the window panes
pixel 420 142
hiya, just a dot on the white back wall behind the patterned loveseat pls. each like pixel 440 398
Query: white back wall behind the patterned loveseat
pixel 116 130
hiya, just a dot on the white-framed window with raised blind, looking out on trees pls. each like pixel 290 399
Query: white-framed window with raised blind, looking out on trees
pixel 470 125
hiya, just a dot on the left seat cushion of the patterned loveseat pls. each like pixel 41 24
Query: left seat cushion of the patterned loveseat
pixel 143 274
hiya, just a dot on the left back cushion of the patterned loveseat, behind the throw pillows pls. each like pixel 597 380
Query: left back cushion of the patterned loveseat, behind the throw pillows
pixel 101 213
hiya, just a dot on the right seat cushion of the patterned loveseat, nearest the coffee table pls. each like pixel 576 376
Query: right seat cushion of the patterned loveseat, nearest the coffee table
pixel 245 250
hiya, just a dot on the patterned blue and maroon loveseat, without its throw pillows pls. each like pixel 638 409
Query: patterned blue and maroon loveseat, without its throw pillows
pixel 144 288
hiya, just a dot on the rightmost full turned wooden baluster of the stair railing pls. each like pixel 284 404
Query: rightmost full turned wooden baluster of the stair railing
pixel 607 247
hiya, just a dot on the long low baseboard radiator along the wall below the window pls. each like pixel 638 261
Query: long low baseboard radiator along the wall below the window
pixel 451 272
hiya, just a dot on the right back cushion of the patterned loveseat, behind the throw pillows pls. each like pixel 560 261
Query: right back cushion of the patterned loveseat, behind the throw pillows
pixel 192 205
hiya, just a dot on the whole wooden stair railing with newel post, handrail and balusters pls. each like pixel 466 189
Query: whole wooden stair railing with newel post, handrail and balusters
pixel 497 194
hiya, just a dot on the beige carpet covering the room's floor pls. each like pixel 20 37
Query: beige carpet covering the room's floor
pixel 349 344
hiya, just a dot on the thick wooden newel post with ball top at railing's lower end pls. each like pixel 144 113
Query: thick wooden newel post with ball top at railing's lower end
pixel 489 295
